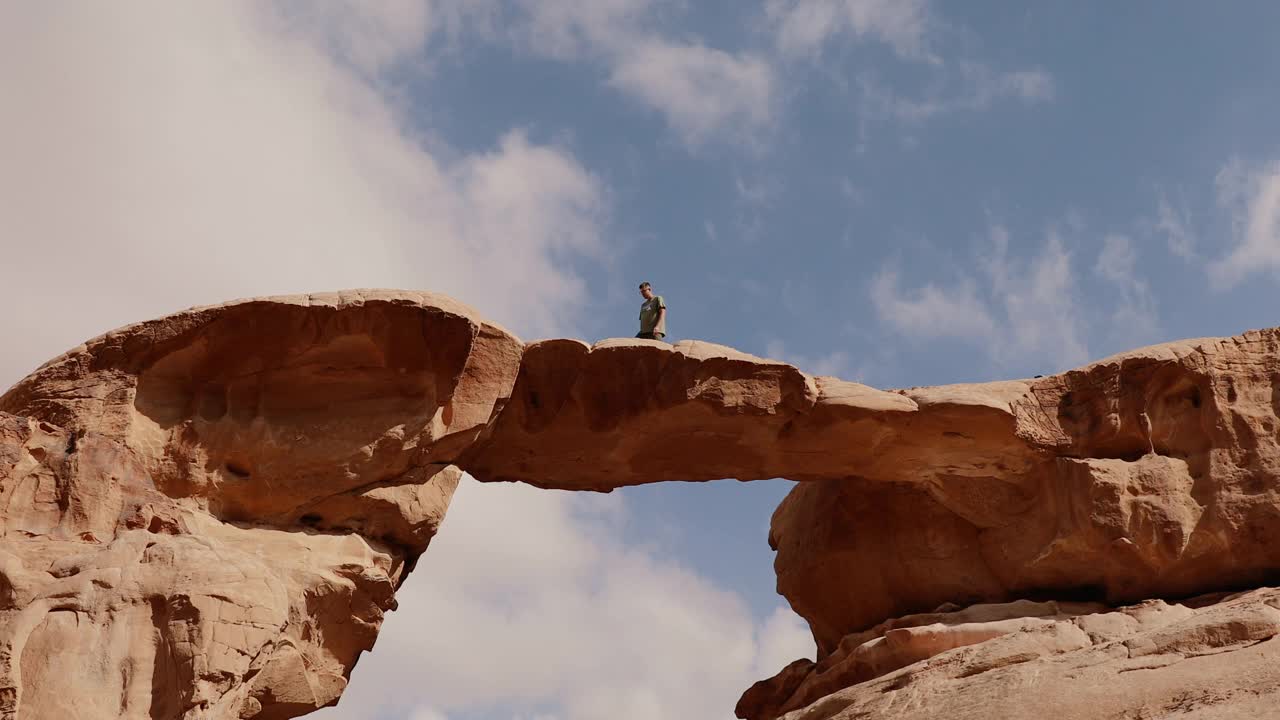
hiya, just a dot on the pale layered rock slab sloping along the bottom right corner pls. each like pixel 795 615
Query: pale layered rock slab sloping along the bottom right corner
pixel 1212 658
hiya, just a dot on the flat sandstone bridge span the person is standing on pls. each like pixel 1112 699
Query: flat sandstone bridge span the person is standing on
pixel 632 412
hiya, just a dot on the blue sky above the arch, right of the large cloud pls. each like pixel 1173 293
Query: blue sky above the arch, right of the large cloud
pixel 880 157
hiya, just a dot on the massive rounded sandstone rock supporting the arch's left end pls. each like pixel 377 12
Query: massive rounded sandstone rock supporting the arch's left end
pixel 208 516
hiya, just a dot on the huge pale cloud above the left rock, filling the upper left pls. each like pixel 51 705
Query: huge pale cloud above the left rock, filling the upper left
pixel 161 157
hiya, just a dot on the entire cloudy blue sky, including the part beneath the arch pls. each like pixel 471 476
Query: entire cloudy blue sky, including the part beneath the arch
pixel 899 193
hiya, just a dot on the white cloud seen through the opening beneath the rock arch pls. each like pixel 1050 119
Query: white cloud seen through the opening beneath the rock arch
pixel 531 599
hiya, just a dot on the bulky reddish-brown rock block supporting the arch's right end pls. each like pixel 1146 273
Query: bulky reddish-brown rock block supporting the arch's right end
pixel 1158 479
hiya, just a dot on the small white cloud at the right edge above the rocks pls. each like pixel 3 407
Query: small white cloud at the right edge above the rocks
pixel 1252 199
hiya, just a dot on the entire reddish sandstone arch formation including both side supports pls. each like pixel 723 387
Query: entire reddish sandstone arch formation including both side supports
pixel 220 507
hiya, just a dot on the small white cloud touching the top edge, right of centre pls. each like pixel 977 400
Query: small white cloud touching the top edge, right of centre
pixel 804 28
